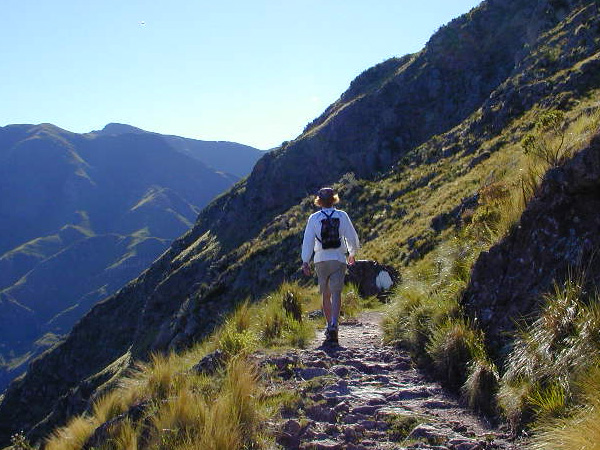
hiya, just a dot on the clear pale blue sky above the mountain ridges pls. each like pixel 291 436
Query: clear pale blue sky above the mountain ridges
pixel 254 72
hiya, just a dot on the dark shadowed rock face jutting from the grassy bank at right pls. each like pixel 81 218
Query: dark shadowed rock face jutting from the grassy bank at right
pixel 557 233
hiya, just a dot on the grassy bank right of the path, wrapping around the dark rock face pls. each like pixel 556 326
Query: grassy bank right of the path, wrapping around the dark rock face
pixel 545 382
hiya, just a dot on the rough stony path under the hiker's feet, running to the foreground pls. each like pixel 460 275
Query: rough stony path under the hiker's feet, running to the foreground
pixel 364 395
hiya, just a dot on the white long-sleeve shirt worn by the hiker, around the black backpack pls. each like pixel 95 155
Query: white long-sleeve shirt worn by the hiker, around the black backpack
pixel 311 244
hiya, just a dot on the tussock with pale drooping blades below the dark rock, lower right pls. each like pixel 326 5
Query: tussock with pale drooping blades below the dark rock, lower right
pixel 550 355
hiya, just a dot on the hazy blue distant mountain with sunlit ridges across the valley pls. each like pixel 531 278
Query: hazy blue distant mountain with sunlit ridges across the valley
pixel 80 216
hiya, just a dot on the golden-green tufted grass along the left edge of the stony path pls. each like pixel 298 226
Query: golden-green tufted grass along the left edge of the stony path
pixel 170 402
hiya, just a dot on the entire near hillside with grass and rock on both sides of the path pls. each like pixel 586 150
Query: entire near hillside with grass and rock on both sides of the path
pixel 469 166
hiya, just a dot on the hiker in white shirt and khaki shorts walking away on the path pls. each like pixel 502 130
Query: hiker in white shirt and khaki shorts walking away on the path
pixel 330 235
